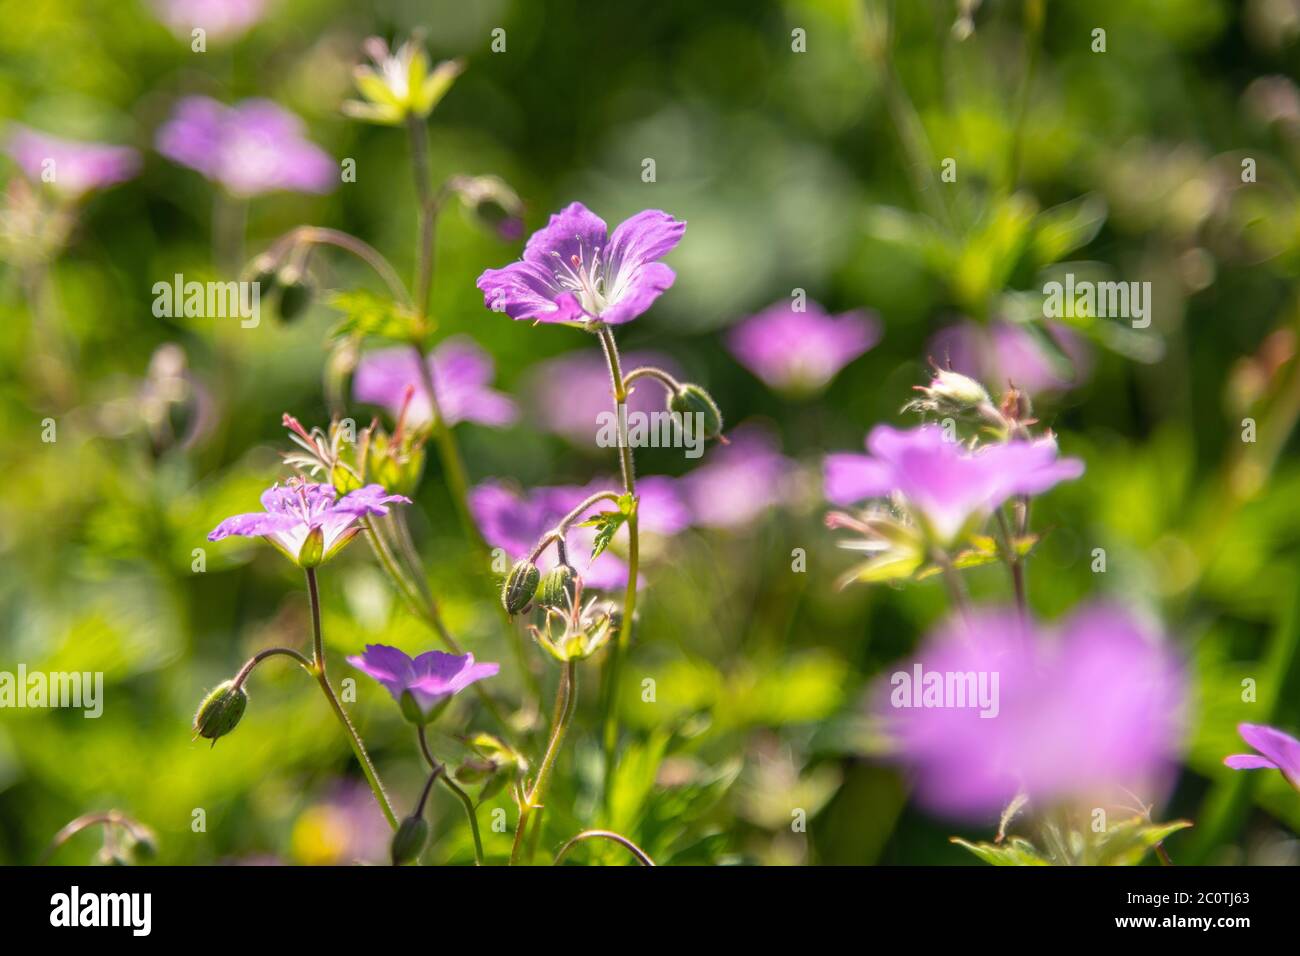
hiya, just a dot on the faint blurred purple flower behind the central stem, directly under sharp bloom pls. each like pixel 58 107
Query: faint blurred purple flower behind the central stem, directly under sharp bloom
pixel 569 392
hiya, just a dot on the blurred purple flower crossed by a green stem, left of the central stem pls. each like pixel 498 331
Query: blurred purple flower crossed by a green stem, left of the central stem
pixel 461 374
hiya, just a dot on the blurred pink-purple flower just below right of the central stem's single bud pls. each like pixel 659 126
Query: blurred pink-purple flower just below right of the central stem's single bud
pixel 738 482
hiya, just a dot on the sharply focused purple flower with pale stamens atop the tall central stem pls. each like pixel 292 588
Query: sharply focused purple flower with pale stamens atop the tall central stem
pixel 574 271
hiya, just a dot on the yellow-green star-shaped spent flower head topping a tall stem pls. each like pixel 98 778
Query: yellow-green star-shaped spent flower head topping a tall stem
pixel 400 84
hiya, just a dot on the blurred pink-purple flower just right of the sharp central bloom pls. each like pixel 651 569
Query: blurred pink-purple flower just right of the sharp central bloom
pixel 801 352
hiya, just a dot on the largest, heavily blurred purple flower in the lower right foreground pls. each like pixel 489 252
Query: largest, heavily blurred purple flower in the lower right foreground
pixel 1093 713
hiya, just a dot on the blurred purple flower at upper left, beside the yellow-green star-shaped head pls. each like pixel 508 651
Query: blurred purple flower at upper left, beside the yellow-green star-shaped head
pixel 252 148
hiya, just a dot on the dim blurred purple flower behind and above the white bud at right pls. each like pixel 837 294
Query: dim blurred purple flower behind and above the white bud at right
pixel 1000 353
